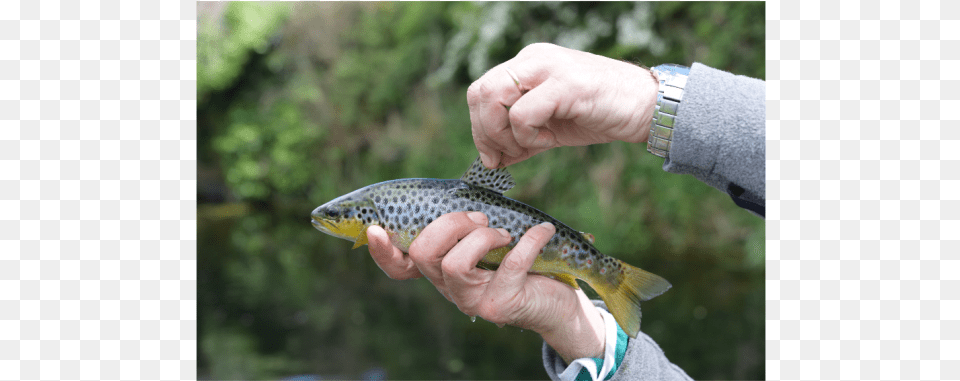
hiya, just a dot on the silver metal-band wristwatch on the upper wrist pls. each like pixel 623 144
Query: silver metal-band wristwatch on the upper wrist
pixel 672 79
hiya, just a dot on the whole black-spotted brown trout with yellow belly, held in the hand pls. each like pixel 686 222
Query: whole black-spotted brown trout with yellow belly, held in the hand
pixel 404 208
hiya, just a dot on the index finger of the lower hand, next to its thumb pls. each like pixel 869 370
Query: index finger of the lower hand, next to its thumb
pixel 438 238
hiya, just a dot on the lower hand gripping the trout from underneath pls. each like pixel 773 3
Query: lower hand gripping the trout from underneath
pixel 447 252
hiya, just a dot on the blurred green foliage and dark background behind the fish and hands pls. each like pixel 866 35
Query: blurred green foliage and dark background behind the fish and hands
pixel 300 103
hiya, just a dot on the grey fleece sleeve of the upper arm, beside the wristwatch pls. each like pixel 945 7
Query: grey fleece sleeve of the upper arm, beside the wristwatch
pixel 720 135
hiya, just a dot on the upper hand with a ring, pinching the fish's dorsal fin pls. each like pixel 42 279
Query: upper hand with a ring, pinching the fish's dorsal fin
pixel 575 98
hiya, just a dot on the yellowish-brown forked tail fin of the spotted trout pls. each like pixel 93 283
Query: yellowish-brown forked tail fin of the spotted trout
pixel 636 285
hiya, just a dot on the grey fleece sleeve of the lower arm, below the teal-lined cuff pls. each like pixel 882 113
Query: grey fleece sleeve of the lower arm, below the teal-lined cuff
pixel 644 360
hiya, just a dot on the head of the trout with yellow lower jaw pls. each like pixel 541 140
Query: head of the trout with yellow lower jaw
pixel 346 217
